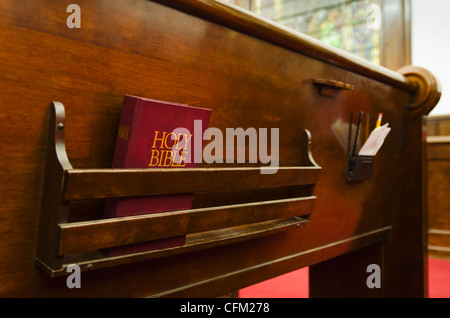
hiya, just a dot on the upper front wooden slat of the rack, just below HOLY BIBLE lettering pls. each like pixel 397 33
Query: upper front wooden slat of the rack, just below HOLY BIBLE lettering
pixel 104 183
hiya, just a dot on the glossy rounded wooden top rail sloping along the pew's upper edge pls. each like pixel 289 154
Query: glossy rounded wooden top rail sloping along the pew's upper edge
pixel 240 20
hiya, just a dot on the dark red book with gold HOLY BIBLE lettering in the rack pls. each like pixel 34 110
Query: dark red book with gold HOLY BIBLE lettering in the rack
pixel 146 139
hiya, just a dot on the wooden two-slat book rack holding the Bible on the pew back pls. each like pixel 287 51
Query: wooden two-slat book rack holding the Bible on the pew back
pixel 61 243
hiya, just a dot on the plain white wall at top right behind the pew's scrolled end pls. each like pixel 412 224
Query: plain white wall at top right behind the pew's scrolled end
pixel 431 44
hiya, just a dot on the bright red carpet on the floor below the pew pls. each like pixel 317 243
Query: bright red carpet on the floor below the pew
pixel 295 284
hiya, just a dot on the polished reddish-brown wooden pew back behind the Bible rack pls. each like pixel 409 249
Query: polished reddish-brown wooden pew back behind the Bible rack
pixel 251 74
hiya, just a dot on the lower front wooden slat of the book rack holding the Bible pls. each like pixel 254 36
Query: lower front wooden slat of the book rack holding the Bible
pixel 84 236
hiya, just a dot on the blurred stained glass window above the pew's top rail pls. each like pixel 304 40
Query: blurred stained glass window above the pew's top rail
pixel 351 25
